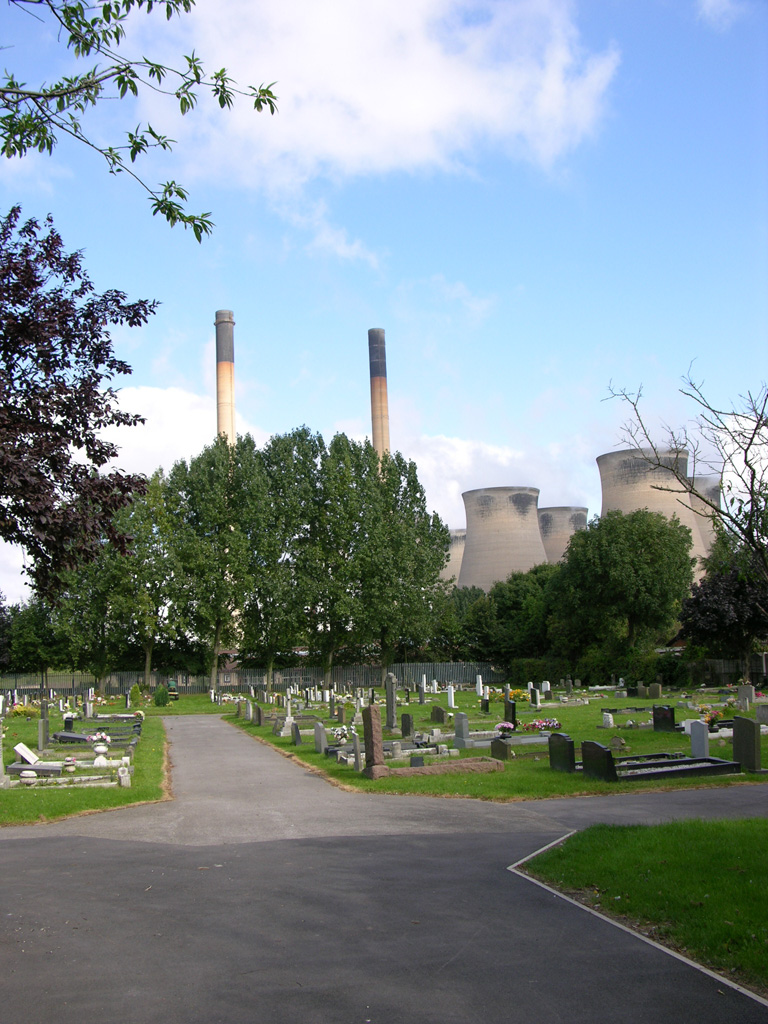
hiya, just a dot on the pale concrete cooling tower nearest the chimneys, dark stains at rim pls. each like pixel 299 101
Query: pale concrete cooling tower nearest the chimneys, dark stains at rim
pixel 503 535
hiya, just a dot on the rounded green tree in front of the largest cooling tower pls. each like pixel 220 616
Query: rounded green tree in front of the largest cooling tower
pixel 623 580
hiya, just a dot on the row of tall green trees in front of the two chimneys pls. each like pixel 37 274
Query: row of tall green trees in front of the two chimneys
pixel 301 545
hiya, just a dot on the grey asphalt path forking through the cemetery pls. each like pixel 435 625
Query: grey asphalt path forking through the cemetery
pixel 262 893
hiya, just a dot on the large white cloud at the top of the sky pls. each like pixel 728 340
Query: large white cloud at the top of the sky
pixel 375 88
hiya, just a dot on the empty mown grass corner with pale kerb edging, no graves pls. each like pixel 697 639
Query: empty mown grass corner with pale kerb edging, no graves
pixel 699 887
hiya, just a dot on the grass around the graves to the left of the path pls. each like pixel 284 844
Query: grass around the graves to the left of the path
pixel 24 805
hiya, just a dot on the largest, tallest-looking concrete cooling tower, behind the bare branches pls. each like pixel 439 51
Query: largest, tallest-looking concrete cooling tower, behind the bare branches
pixel 629 484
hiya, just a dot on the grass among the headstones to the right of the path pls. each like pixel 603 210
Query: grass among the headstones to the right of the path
pixel 529 776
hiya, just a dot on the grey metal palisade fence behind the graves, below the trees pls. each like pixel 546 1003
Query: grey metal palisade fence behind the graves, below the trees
pixel 344 678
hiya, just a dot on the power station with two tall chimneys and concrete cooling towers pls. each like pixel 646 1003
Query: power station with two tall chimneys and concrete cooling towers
pixel 506 531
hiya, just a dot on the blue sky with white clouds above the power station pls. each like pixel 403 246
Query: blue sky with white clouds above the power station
pixel 534 198
